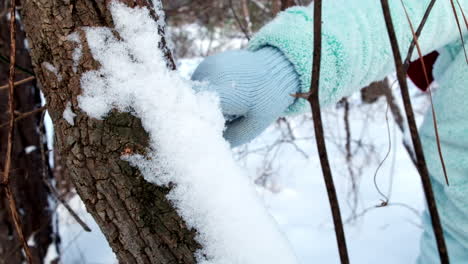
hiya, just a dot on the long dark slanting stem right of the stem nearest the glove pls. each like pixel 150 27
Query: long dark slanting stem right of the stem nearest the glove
pixel 422 167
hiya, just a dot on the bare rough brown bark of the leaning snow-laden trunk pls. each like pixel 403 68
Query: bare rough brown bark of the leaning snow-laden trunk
pixel 139 223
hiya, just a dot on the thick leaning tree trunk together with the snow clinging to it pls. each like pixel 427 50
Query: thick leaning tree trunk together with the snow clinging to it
pixel 130 120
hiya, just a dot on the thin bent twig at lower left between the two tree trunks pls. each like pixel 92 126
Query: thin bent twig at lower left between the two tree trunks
pixel 51 188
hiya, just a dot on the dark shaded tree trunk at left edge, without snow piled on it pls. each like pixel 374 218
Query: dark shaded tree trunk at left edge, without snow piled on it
pixel 31 195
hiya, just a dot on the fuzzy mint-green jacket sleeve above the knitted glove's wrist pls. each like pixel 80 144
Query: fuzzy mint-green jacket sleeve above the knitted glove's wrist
pixel 355 49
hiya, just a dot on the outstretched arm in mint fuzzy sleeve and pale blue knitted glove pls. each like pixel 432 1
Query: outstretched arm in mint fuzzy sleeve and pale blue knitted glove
pixel 255 86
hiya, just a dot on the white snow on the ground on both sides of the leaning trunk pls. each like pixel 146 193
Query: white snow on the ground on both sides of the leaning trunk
pixel 296 195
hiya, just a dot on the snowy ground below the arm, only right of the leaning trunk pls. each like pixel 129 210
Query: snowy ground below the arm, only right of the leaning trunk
pixel 382 235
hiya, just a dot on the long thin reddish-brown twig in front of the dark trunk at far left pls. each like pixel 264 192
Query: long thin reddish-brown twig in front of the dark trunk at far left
pixel 11 109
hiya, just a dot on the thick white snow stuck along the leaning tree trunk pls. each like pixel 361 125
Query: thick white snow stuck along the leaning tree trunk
pixel 211 193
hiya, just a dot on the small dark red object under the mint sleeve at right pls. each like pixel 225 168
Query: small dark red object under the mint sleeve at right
pixel 416 73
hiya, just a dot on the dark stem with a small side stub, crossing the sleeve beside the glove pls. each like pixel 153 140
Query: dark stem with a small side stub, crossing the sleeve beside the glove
pixel 313 98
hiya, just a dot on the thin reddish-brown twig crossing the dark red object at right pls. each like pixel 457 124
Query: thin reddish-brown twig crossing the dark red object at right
pixel 434 116
